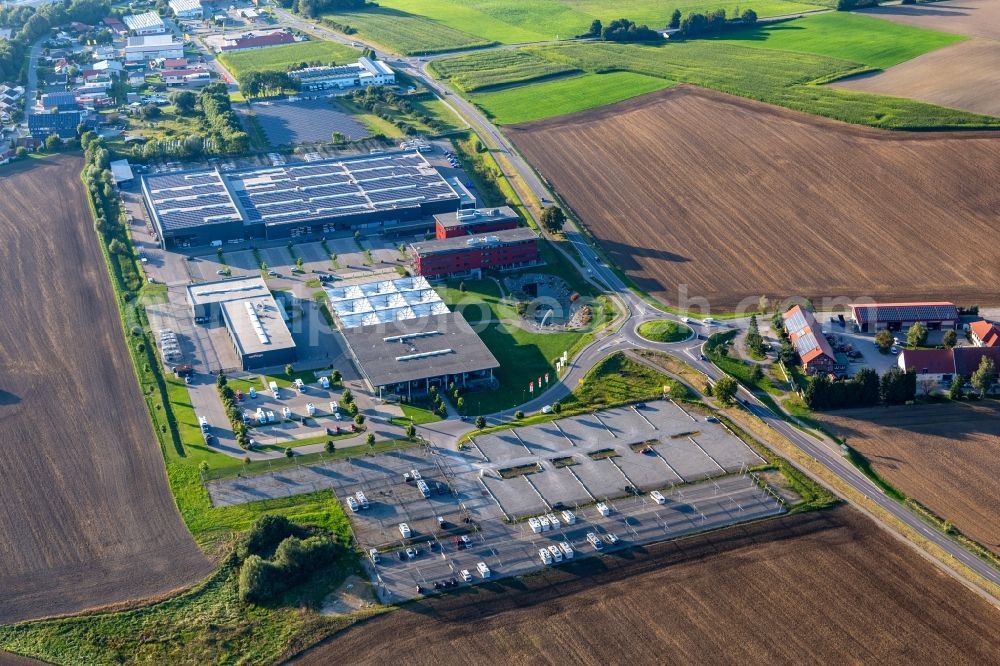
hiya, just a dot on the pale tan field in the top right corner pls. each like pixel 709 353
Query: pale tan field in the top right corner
pixel 976 18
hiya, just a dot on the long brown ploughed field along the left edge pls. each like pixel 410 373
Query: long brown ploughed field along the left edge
pixel 87 516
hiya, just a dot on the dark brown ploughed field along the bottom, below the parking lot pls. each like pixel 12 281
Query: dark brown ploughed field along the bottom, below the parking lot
pixel 824 587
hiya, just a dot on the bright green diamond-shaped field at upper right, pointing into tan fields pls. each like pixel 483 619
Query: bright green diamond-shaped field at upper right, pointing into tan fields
pixel 861 39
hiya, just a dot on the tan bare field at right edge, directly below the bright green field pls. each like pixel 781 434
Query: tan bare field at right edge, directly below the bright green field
pixel 961 76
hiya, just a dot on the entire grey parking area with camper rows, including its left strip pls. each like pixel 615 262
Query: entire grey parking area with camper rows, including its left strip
pixel 467 493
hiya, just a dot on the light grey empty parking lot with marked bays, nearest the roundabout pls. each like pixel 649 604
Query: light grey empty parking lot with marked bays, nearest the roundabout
pixel 607 453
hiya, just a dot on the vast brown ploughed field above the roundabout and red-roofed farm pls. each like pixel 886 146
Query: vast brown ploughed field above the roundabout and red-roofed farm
pixel 731 199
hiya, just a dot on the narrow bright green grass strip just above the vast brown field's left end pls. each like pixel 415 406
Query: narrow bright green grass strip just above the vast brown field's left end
pixel 564 95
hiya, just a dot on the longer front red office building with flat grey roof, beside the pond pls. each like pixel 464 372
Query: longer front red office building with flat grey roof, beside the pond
pixel 470 255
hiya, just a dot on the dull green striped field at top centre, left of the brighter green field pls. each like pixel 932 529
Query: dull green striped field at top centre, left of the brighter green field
pixel 403 32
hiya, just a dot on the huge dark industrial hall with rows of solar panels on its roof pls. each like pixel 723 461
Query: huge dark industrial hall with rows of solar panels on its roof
pixel 300 201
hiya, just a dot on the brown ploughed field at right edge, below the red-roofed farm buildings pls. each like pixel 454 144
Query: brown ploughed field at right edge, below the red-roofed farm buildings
pixel 945 456
